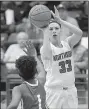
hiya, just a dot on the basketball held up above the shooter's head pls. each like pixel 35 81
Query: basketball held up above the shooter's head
pixel 40 15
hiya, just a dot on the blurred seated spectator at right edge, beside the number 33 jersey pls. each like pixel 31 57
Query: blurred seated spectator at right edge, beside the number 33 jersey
pixel 80 58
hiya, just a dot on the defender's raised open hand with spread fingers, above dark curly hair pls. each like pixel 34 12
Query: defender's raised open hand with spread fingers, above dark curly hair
pixel 29 48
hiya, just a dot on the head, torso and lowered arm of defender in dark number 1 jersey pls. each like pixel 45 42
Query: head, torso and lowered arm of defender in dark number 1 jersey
pixel 31 92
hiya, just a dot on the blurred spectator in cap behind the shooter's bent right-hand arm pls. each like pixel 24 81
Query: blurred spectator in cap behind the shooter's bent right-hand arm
pixel 65 32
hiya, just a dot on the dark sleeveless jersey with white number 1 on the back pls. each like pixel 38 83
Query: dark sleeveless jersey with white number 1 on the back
pixel 33 96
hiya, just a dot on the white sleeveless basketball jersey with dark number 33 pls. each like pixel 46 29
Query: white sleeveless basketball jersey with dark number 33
pixel 60 70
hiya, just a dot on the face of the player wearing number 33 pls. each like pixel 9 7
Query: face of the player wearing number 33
pixel 54 29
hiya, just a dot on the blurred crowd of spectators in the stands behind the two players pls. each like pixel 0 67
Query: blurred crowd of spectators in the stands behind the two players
pixel 16 27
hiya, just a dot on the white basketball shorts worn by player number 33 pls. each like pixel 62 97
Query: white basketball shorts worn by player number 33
pixel 62 99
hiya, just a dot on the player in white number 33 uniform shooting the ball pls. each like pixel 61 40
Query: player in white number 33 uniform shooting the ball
pixel 58 62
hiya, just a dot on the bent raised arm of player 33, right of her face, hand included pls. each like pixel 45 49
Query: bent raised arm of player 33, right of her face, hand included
pixel 77 32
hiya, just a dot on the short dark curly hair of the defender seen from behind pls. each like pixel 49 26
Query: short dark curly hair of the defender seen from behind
pixel 27 67
